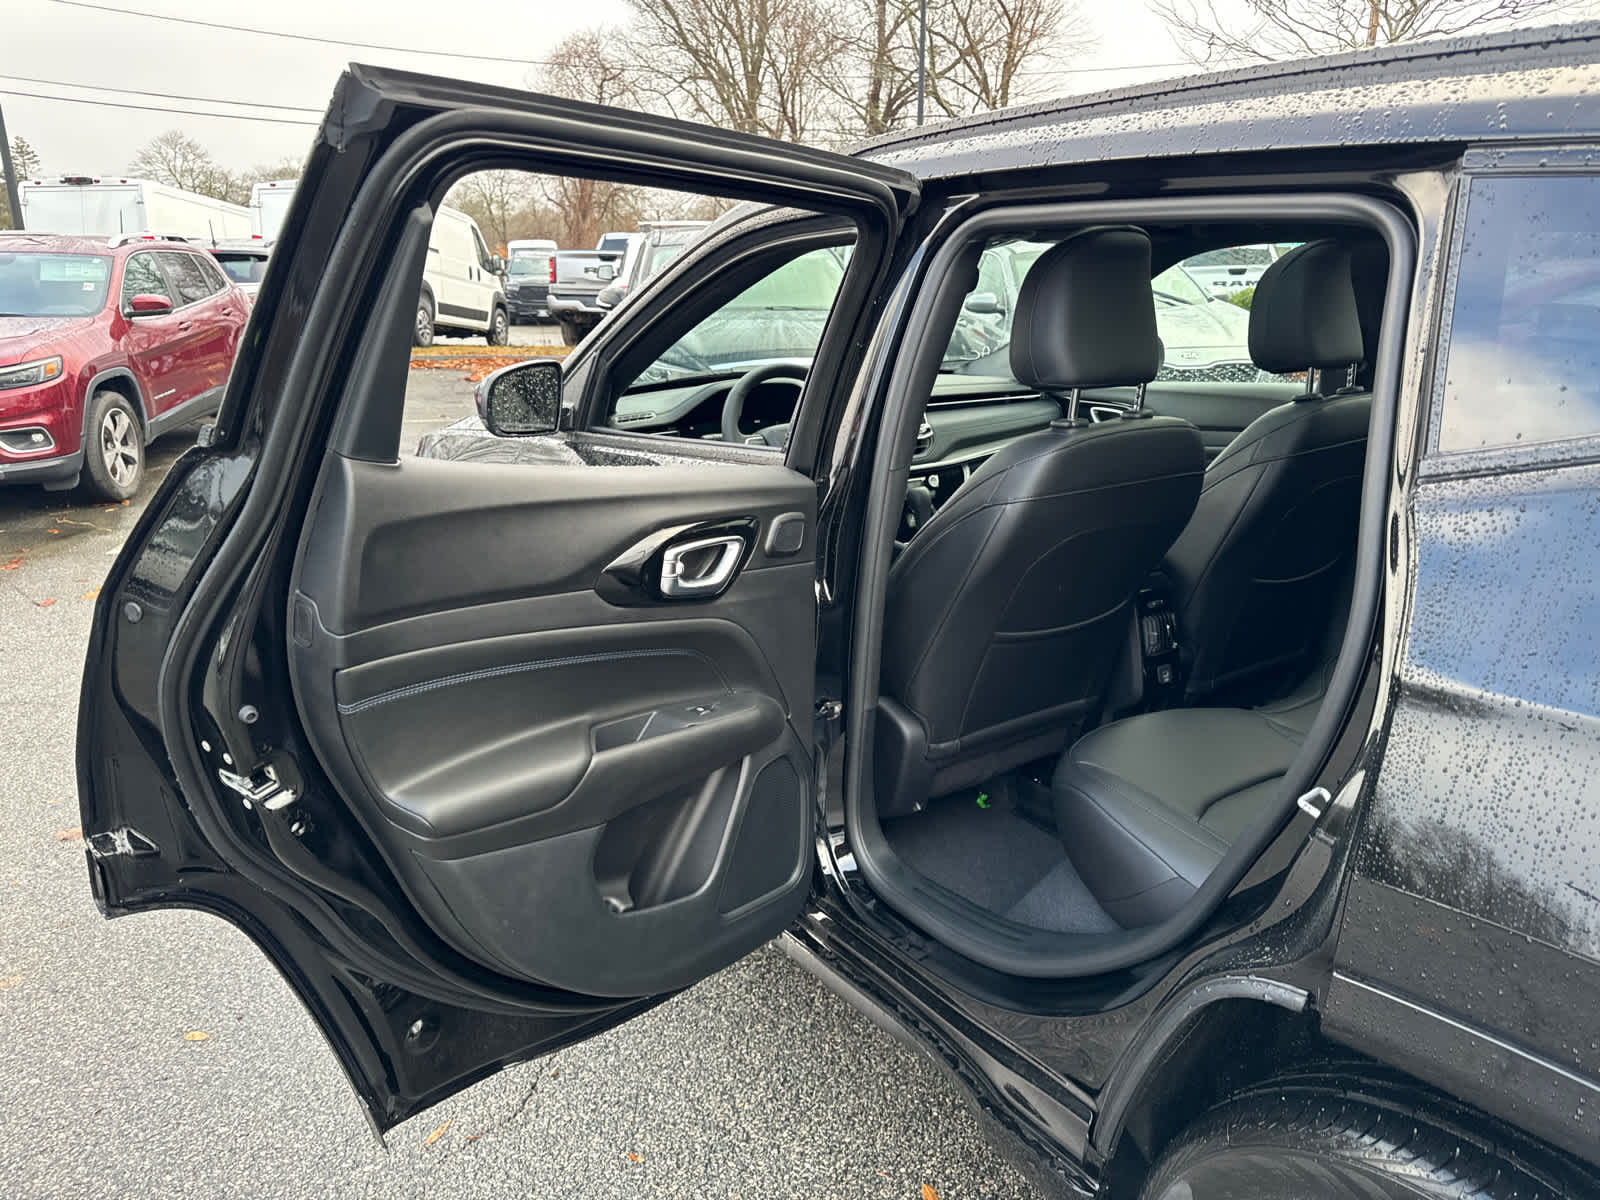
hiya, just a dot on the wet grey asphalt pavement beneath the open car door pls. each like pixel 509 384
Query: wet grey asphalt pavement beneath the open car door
pixel 754 1084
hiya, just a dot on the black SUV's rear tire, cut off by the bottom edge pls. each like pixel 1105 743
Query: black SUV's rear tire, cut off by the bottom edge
pixel 1324 1145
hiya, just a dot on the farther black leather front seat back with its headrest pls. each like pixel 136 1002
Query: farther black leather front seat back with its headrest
pixel 1258 569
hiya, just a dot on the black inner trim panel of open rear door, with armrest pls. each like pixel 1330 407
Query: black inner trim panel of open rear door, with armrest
pixel 578 783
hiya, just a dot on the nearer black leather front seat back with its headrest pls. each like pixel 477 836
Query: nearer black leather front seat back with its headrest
pixel 1009 610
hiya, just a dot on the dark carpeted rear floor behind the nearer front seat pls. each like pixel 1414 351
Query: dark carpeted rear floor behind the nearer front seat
pixel 978 846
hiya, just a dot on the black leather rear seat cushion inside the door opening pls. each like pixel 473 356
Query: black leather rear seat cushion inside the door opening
pixel 1150 806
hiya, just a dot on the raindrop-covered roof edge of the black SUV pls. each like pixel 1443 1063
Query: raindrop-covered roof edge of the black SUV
pixel 1521 86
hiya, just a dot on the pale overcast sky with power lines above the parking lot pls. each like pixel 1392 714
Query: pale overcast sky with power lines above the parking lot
pixel 70 44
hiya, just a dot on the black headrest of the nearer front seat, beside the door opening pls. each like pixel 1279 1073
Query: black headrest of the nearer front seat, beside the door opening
pixel 1086 316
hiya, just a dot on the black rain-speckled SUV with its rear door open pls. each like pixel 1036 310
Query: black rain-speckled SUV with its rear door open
pixel 1201 770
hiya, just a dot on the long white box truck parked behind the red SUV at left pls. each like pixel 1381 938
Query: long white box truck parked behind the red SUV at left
pixel 105 207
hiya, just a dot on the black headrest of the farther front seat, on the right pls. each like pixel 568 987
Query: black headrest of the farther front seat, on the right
pixel 1303 314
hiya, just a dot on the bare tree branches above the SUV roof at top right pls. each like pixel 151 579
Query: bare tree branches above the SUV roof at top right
pixel 1278 30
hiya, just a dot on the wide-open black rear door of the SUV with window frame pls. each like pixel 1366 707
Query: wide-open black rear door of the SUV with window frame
pixel 487 758
